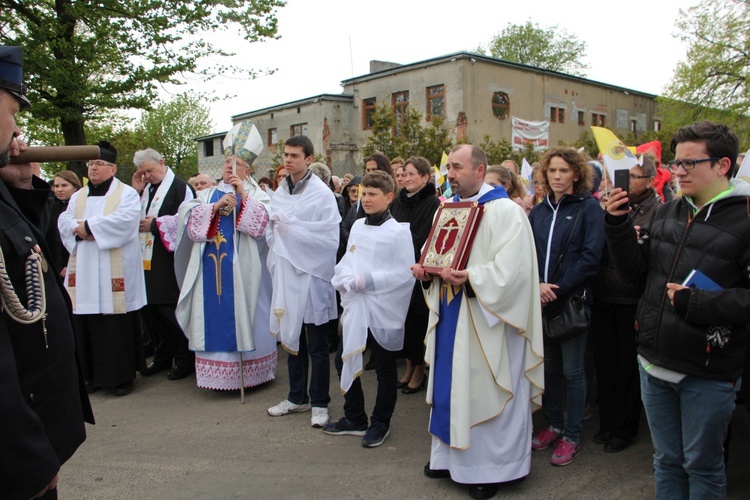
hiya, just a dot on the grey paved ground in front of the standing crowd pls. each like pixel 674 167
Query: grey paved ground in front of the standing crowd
pixel 170 439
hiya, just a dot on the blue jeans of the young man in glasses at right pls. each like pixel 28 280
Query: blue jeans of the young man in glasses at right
pixel 688 423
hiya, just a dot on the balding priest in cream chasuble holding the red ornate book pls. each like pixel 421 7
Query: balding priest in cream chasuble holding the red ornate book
pixel 484 342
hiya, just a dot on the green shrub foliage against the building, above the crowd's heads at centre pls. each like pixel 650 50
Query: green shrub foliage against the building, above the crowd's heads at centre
pixel 415 139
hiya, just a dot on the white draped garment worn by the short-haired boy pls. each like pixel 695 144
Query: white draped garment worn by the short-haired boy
pixel 375 282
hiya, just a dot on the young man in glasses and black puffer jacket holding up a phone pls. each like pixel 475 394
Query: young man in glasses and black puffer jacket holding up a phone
pixel 692 319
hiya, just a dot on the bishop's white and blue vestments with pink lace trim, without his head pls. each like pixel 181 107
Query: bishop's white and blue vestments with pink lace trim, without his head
pixel 250 293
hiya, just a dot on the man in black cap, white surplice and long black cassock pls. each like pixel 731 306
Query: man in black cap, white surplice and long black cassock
pixel 105 275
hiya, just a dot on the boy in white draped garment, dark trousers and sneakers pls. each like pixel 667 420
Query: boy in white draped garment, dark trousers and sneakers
pixel 375 283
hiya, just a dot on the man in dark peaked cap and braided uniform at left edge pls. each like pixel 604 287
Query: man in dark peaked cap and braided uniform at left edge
pixel 42 405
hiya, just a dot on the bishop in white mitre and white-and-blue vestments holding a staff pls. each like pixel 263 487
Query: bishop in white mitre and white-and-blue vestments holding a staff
pixel 225 289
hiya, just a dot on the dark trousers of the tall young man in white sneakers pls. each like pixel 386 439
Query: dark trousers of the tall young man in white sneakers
pixel 313 341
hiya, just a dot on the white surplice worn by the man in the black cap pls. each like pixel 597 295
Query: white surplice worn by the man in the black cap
pixel 119 229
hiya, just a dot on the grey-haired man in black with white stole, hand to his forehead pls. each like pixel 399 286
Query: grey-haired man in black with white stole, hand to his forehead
pixel 162 193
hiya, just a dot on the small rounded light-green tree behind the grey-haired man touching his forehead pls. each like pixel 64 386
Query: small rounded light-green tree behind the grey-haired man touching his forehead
pixel 171 129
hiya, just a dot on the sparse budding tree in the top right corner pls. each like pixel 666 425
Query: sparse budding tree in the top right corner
pixel 714 81
